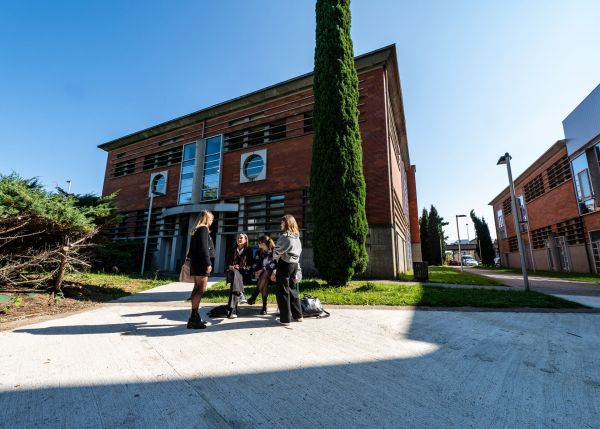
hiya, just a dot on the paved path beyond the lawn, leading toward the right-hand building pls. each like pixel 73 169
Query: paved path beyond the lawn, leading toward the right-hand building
pixel 581 292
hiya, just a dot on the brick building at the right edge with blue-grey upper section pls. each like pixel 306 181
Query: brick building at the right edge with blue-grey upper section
pixel 558 200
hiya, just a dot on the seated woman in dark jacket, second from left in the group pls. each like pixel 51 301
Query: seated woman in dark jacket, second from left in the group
pixel 238 269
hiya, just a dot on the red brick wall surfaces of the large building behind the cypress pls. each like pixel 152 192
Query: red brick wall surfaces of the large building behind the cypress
pixel 288 161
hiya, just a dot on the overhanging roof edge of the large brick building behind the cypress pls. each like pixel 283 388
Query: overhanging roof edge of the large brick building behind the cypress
pixel 378 57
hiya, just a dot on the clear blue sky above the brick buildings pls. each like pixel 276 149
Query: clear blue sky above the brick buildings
pixel 479 78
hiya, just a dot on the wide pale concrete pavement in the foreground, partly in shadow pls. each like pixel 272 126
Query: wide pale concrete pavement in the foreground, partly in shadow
pixel 134 364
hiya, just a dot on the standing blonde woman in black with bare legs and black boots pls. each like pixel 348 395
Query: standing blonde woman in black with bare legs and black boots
pixel 202 256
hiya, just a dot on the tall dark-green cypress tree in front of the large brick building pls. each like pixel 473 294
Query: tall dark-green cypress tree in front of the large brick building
pixel 337 184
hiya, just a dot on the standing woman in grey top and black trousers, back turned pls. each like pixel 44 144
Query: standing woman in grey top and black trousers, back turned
pixel 287 255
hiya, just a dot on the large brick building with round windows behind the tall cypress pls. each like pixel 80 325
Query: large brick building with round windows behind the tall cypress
pixel 228 159
